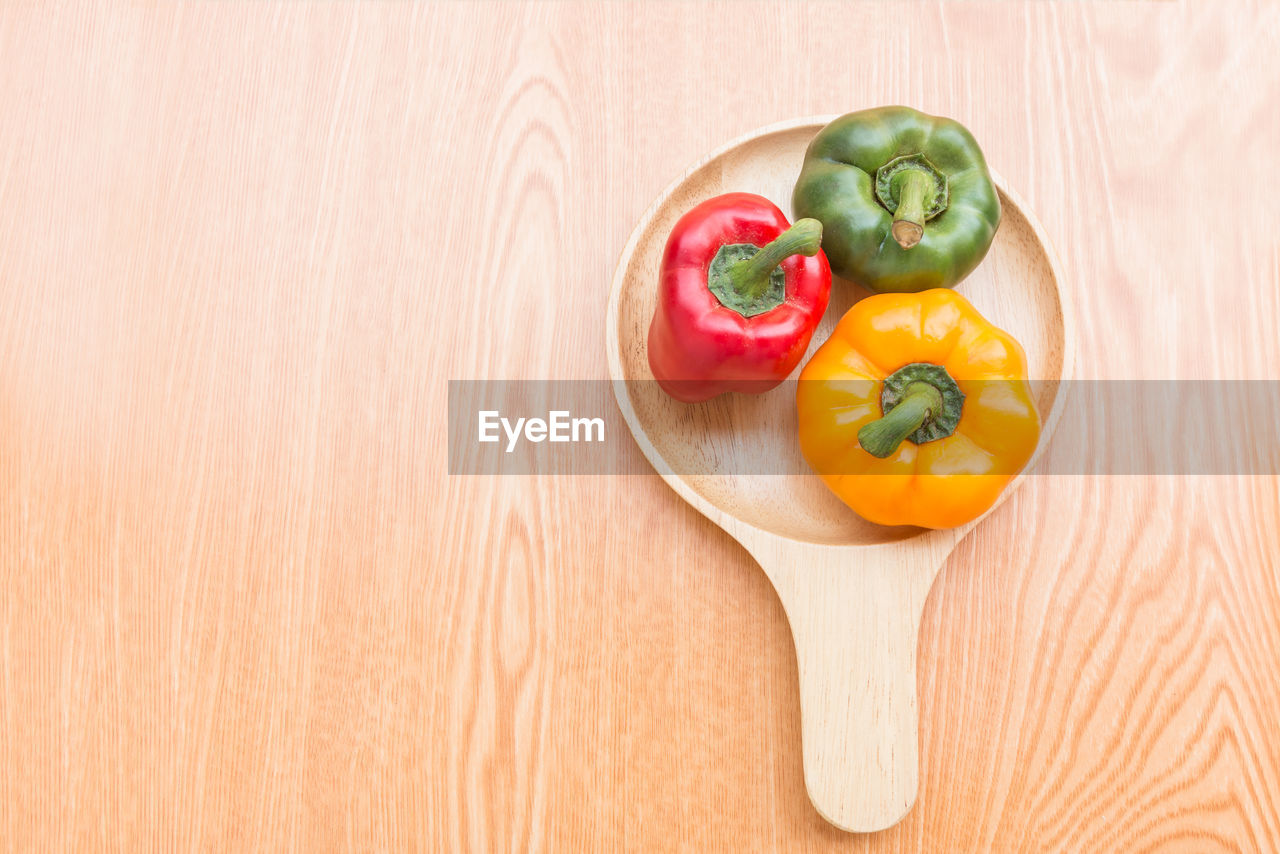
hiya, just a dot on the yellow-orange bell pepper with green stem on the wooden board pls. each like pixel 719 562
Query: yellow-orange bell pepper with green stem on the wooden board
pixel 917 410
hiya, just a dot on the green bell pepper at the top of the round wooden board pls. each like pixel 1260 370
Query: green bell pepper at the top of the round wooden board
pixel 906 199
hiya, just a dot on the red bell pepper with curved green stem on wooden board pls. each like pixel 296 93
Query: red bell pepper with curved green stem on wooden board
pixel 742 293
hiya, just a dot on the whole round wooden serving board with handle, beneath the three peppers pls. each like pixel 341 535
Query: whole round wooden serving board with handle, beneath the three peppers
pixel 853 592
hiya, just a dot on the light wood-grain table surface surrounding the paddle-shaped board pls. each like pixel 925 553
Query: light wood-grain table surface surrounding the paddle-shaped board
pixel 244 246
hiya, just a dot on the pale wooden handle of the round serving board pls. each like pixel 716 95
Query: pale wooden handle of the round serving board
pixel 856 616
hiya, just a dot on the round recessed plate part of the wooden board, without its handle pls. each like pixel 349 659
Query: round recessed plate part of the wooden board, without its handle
pixel 715 446
